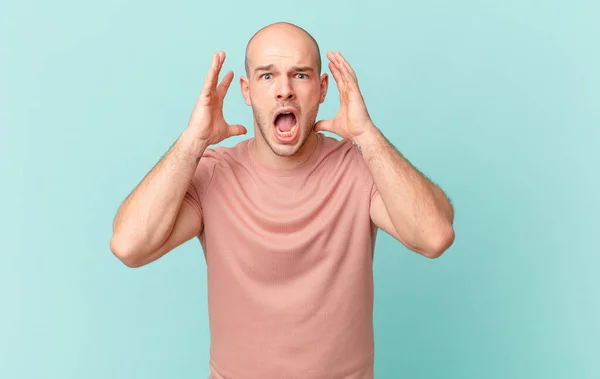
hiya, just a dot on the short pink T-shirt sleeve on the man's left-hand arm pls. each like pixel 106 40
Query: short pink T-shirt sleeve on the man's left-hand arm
pixel 201 180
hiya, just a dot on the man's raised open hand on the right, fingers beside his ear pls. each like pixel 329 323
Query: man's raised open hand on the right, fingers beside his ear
pixel 352 119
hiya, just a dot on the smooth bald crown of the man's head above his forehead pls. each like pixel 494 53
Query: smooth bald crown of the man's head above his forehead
pixel 281 34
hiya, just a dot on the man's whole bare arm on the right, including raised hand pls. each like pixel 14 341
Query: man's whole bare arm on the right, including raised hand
pixel 409 206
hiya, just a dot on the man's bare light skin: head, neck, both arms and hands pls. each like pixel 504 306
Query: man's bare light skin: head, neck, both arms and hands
pixel 154 219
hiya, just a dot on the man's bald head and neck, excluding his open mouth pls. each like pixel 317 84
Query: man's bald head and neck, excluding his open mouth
pixel 283 72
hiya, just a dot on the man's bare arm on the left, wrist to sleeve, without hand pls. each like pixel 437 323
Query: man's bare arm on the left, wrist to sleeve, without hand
pixel 154 219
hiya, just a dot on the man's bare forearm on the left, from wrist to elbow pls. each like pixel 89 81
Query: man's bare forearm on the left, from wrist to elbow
pixel 146 217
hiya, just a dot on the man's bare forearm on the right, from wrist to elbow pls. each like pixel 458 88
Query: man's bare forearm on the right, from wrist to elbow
pixel 418 209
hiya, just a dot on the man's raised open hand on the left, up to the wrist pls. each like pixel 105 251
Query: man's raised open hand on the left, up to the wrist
pixel 207 122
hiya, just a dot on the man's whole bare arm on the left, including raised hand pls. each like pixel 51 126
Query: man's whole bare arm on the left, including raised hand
pixel 154 218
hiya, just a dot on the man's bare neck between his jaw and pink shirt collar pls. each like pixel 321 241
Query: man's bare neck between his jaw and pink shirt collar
pixel 263 154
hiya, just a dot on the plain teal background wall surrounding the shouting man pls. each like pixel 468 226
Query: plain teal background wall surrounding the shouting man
pixel 497 102
